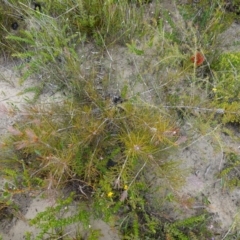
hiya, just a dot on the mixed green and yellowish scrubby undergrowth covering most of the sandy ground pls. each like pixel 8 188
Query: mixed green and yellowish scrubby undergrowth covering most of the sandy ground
pixel 104 144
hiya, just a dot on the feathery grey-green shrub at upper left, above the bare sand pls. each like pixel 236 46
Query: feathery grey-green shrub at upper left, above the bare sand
pixel 50 52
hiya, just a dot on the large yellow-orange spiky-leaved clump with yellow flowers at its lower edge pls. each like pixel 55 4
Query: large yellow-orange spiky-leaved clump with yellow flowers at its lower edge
pixel 105 148
